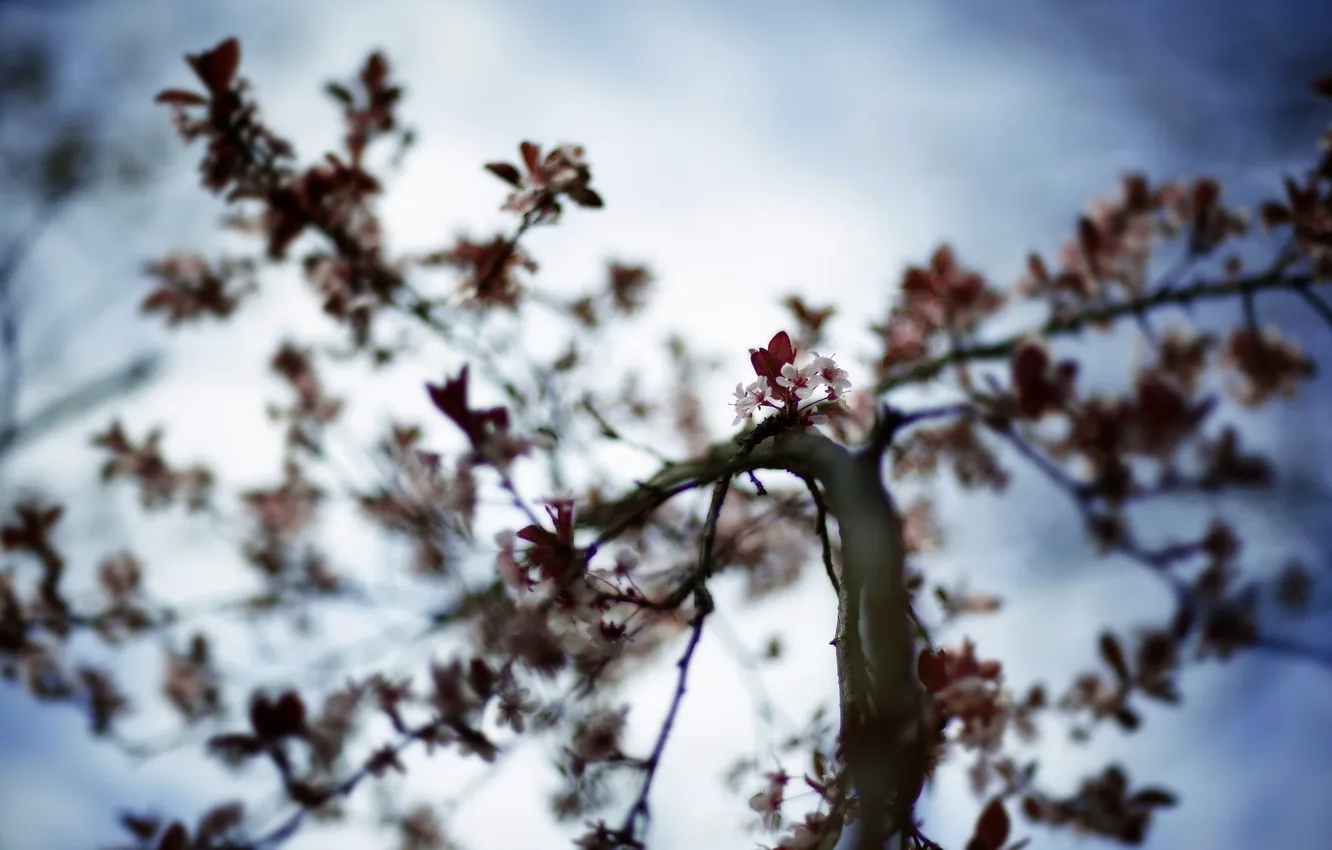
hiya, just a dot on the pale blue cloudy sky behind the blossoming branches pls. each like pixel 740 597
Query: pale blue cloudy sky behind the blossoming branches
pixel 745 151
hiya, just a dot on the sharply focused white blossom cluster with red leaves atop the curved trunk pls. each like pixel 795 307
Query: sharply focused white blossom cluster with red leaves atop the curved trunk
pixel 784 387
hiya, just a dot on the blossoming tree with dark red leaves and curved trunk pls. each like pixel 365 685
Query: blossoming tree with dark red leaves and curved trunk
pixel 547 624
